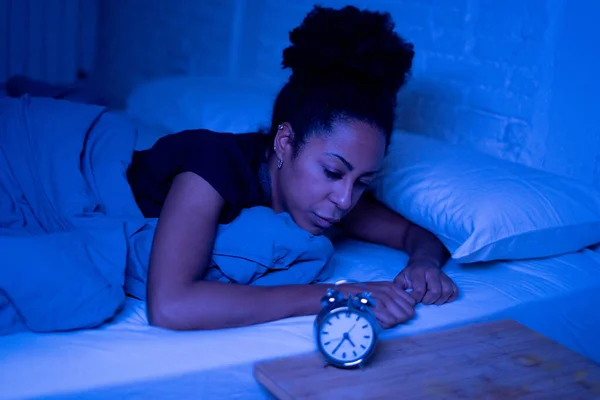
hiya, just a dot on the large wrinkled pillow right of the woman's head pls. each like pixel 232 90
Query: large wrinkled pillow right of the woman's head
pixel 483 208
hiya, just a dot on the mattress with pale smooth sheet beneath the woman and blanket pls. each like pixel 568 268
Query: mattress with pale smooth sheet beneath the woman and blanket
pixel 127 358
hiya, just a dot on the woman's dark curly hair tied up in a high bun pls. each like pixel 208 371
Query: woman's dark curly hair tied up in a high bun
pixel 347 64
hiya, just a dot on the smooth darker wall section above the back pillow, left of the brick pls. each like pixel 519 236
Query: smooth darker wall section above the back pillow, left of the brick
pixel 141 40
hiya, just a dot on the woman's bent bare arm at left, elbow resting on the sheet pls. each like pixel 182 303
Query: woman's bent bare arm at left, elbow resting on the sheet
pixel 181 251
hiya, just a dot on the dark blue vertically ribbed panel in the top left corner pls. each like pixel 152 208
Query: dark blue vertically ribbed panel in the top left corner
pixel 48 40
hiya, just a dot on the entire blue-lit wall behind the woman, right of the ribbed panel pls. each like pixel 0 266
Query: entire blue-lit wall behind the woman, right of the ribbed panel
pixel 497 76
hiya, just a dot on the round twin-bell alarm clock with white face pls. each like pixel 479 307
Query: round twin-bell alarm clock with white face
pixel 346 329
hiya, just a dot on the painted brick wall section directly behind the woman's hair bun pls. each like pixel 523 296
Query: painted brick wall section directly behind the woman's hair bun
pixel 479 71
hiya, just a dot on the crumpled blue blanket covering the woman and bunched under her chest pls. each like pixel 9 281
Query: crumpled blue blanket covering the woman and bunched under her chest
pixel 73 242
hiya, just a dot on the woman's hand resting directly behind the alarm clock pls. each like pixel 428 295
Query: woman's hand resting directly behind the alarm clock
pixel 393 305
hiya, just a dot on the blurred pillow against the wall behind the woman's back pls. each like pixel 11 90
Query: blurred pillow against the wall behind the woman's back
pixel 188 102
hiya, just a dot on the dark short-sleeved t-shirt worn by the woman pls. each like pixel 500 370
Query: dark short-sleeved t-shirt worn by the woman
pixel 233 164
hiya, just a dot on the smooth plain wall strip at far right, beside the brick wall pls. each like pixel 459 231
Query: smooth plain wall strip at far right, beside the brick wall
pixel 572 142
